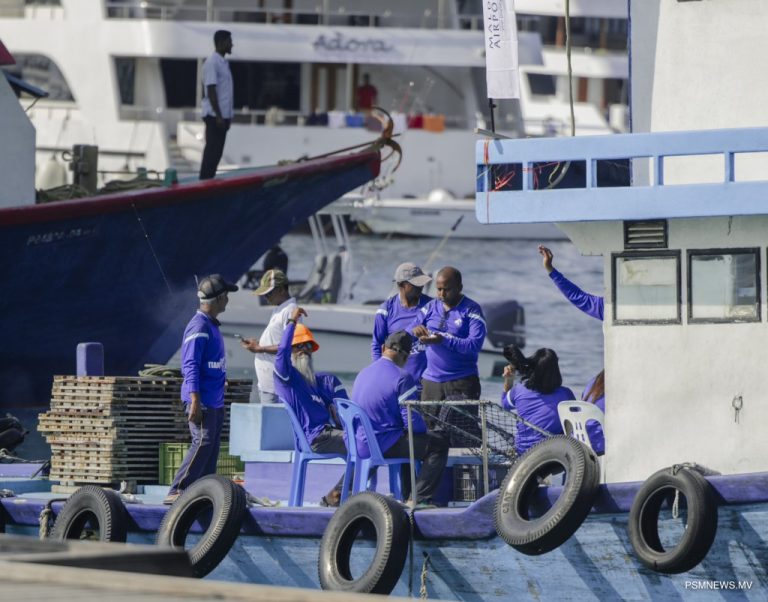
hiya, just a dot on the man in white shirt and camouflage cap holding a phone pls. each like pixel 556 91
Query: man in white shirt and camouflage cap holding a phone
pixel 274 288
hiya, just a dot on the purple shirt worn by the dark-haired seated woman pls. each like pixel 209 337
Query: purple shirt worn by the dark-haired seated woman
pixel 537 408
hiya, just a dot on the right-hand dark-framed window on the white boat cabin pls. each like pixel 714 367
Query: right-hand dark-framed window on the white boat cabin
pixel 724 285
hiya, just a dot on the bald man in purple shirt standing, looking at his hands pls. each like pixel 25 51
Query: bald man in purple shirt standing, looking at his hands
pixel 453 329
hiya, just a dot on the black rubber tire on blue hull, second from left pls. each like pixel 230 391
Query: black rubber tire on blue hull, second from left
pixel 229 504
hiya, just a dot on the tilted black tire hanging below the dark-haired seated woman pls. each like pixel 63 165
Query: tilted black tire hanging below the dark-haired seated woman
pixel 547 532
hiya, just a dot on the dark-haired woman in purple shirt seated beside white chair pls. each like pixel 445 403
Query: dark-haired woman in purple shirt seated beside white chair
pixel 535 398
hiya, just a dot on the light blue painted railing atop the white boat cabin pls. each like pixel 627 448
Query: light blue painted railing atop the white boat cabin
pixel 509 170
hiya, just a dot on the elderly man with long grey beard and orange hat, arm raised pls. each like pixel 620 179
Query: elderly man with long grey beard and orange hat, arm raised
pixel 310 394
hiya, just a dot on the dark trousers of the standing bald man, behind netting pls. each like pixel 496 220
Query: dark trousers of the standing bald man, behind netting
pixel 461 422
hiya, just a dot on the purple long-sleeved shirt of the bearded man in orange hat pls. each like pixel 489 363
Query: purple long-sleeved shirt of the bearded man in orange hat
pixel 310 404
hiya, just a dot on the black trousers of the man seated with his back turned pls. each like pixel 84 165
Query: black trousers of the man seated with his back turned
pixel 432 450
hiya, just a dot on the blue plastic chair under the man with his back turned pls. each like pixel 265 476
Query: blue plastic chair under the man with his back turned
pixel 350 415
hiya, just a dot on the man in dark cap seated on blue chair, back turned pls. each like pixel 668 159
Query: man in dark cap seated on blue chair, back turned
pixel 379 389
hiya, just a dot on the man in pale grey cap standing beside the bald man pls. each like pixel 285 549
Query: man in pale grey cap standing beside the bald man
pixel 399 311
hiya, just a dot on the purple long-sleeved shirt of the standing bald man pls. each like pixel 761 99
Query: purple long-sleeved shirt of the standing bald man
pixel 463 331
